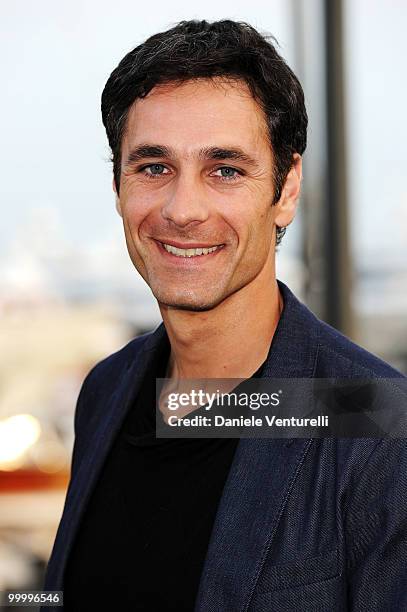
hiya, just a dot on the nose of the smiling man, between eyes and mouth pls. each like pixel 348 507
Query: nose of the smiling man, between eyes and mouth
pixel 186 203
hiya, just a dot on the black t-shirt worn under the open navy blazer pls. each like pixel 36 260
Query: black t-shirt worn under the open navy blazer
pixel 143 539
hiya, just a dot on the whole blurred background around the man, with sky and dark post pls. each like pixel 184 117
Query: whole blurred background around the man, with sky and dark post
pixel 69 295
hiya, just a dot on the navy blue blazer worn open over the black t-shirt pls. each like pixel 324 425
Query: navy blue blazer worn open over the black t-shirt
pixel 303 524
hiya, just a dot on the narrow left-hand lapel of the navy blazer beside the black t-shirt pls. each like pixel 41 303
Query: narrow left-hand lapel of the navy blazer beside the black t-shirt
pixel 85 478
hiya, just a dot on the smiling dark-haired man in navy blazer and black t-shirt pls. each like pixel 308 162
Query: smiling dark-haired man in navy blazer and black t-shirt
pixel 207 126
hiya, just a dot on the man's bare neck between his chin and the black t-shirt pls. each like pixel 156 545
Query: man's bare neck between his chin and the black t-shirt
pixel 230 341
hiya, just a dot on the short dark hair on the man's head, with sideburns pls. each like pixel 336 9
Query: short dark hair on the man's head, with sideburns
pixel 200 49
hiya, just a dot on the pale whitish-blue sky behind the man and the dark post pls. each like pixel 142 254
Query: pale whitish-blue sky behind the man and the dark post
pixel 57 56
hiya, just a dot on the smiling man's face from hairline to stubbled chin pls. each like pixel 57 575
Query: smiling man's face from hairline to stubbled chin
pixel 196 174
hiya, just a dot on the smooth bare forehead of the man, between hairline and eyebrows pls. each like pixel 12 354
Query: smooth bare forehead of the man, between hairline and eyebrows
pixel 196 113
